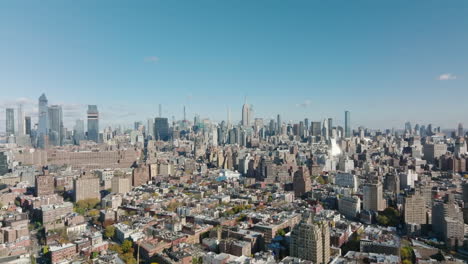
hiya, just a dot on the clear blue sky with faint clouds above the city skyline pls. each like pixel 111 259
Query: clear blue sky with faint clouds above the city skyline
pixel 385 61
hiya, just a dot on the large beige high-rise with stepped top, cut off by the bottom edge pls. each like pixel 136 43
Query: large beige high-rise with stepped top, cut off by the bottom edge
pixel 311 241
